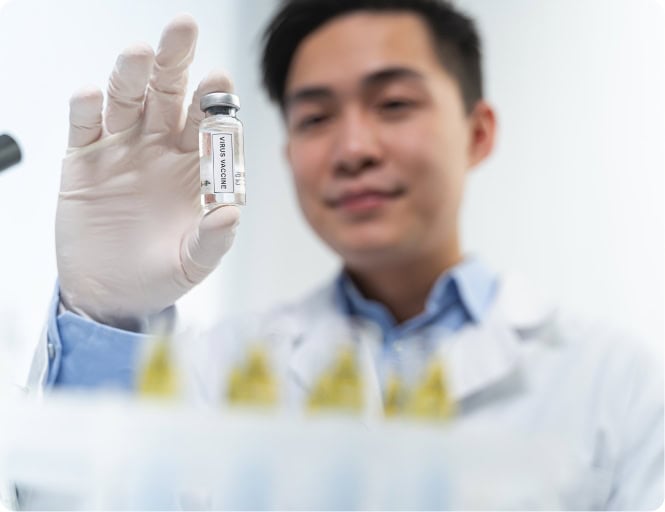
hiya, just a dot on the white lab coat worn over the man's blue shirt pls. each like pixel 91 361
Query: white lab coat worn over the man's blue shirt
pixel 527 368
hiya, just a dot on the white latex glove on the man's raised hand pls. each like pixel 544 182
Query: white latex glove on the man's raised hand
pixel 131 237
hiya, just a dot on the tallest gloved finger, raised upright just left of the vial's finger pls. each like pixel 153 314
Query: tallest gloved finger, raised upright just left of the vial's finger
pixel 168 82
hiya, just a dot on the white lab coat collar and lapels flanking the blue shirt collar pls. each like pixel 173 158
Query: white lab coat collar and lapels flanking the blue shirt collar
pixel 475 358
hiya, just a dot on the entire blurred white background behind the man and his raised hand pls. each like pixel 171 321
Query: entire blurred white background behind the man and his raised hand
pixel 573 196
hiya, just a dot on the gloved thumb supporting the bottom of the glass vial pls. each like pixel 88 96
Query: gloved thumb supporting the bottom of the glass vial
pixel 204 247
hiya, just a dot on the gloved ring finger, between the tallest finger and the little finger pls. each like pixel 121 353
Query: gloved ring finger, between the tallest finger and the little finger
pixel 126 89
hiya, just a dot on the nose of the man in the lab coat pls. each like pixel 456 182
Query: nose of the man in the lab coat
pixel 357 145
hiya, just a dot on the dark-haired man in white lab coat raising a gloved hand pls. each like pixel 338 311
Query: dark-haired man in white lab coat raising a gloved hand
pixel 383 107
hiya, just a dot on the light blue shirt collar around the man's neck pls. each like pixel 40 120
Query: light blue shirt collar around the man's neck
pixel 464 291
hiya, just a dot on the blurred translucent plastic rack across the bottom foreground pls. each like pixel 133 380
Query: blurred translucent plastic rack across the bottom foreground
pixel 168 455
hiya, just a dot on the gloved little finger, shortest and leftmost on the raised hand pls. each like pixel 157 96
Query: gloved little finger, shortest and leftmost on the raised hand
pixel 85 116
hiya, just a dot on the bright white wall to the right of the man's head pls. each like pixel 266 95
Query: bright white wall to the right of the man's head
pixel 574 194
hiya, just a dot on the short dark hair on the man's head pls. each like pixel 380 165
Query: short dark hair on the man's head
pixel 454 34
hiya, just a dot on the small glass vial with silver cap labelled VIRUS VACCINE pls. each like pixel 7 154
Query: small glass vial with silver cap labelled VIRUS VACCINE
pixel 221 152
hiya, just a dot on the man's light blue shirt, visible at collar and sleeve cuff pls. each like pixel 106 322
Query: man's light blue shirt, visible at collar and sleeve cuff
pixel 86 354
